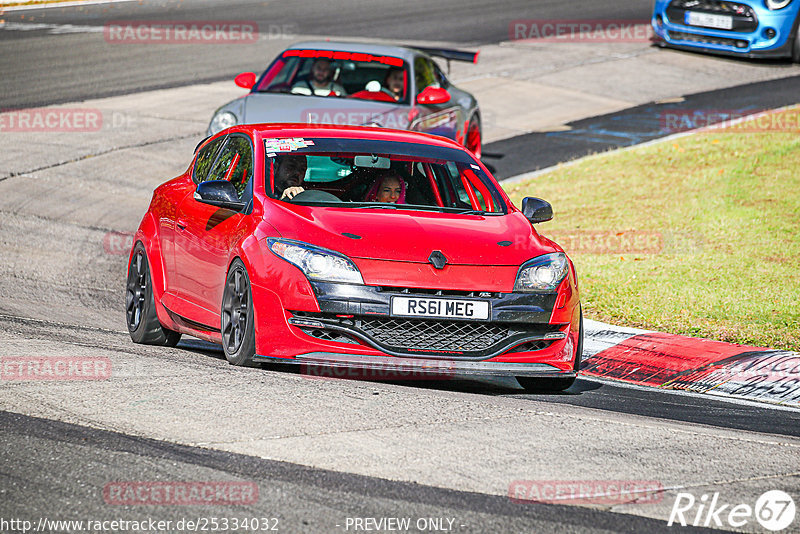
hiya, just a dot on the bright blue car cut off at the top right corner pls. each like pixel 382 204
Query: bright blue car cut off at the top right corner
pixel 747 28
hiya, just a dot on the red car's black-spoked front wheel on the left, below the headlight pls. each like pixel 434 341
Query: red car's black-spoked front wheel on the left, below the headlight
pixel 238 320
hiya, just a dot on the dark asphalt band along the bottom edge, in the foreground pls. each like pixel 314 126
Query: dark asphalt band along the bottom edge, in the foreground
pixel 301 498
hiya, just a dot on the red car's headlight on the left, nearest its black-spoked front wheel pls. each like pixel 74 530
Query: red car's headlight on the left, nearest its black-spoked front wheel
pixel 315 262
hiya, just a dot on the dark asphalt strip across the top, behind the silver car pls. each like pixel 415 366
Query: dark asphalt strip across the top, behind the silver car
pixel 83 65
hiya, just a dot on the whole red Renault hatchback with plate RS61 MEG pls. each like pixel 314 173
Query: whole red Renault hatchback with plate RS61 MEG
pixel 354 247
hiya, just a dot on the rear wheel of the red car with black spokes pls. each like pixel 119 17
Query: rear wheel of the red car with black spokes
pixel 140 307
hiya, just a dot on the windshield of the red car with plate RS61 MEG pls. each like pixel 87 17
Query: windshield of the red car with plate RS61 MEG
pixel 378 175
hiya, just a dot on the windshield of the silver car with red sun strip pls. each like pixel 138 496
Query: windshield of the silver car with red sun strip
pixel 338 74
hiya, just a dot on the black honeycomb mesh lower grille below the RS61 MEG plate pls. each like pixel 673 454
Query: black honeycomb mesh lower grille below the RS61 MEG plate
pixel 434 336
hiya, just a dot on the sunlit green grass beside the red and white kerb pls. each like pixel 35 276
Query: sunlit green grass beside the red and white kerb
pixel 697 236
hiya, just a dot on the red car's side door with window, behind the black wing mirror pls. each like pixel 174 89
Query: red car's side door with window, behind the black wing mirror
pixel 204 235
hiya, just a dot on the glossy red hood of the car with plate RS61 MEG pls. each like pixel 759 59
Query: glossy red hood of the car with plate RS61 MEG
pixel 411 236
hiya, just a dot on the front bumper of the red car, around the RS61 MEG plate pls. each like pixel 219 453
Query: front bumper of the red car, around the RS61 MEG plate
pixel 350 326
